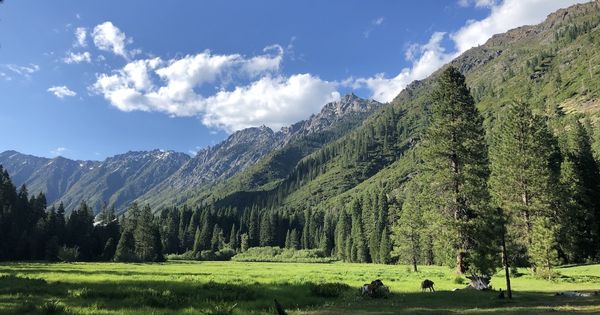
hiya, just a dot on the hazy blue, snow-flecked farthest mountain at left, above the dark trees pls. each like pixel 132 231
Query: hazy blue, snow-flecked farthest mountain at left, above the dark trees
pixel 118 180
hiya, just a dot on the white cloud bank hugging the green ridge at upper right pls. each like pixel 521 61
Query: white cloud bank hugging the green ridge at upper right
pixel 429 57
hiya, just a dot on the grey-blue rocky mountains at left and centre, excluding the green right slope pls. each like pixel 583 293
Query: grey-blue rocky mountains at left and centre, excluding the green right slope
pixel 164 178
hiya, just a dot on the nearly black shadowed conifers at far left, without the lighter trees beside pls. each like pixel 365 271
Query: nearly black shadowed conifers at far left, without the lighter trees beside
pixel 30 231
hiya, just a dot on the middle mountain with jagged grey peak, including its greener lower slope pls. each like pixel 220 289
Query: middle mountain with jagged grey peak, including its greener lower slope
pixel 259 156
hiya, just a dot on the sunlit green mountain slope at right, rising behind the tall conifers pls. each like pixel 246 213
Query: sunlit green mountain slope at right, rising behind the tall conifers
pixel 553 66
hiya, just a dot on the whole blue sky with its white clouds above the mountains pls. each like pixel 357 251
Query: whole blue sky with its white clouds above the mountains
pixel 90 79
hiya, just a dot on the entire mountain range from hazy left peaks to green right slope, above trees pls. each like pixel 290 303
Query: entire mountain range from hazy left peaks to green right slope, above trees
pixel 353 146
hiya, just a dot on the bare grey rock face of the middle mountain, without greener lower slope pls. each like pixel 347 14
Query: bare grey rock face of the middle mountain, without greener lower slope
pixel 247 147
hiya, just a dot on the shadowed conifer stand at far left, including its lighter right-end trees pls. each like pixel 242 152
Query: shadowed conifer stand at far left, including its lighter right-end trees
pixel 31 231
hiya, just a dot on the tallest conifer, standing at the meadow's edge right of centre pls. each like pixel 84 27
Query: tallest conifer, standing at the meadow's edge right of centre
pixel 455 166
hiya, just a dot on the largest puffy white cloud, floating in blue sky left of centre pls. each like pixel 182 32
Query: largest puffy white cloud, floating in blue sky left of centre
pixel 173 87
